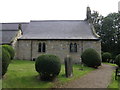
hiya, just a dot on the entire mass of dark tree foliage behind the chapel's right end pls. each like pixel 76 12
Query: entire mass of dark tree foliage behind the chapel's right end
pixel 109 30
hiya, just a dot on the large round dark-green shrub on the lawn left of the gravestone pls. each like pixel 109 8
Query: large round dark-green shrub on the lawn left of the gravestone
pixel 48 66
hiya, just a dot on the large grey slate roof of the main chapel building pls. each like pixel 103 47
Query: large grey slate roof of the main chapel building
pixel 59 29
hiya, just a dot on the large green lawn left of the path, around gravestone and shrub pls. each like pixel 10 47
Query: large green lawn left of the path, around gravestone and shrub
pixel 22 74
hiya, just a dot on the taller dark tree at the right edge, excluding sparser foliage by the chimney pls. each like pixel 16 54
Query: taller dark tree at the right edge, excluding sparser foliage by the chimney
pixel 110 33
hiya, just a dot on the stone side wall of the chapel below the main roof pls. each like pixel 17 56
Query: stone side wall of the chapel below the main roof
pixel 28 49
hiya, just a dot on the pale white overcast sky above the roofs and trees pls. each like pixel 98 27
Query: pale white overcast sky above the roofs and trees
pixel 26 10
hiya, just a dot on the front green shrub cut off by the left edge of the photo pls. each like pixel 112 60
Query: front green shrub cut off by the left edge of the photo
pixel 5 57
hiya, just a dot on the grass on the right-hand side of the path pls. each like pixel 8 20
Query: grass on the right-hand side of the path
pixel 114 83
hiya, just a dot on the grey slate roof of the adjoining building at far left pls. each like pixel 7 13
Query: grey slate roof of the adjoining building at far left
pixel 8 31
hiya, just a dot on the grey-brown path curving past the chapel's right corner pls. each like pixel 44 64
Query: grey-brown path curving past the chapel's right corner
pixel 99 78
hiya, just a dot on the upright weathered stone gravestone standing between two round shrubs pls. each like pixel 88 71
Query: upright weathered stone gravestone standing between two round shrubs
pixel 68 67
